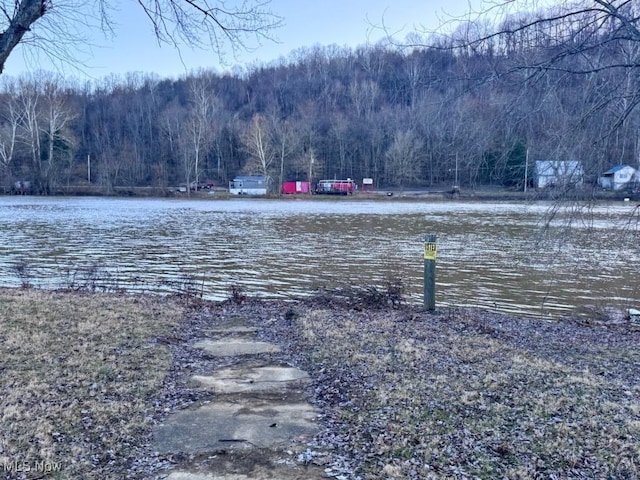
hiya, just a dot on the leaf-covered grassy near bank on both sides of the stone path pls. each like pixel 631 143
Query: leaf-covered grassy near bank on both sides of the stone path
pixel 402 393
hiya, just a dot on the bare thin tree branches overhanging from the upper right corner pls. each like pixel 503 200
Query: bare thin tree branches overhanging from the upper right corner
pixel 585 39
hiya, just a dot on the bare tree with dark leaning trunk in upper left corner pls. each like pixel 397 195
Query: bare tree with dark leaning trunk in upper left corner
pixel 50 26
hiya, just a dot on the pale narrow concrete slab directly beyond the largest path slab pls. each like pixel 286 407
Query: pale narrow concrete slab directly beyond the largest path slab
pixel 259 379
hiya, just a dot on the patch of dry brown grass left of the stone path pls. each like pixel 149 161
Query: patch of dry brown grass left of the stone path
pixel 79 372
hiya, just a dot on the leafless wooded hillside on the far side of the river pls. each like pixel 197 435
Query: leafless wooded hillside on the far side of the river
pixel 471 113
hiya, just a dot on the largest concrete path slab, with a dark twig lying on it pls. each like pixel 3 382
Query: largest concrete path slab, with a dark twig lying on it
pixel 249 423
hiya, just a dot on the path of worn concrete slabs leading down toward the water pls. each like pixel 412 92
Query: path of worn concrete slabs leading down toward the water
pixel 257 424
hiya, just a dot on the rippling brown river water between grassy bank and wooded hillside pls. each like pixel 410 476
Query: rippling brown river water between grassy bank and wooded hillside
pixel 492 255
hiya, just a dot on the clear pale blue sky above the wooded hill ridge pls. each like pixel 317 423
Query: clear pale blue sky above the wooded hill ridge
pixel 134 47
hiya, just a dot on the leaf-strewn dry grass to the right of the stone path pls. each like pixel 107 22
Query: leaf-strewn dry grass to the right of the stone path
pixel 409 395
